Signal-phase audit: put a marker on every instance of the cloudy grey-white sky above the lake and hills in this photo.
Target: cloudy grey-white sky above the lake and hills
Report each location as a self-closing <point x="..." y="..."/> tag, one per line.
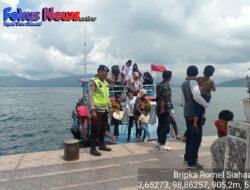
<point x="175" y="33"/>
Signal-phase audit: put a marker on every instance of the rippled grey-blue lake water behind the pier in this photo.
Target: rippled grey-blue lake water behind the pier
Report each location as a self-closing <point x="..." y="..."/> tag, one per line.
<point x="39" y="119"/>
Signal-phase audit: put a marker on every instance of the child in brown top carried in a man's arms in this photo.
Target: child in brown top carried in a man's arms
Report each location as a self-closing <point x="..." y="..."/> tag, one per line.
<point x="206" y="86"/>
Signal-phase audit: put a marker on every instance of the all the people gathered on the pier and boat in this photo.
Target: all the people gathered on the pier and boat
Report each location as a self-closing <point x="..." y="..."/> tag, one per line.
<point x="196" y="95"/>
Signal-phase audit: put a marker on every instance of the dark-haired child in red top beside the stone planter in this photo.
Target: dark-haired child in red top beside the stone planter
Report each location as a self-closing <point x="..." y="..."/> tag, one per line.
<point x="224" y="117"/>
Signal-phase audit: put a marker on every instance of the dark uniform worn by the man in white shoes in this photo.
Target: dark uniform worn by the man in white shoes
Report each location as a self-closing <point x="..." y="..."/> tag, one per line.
<point x="163" y="93"/>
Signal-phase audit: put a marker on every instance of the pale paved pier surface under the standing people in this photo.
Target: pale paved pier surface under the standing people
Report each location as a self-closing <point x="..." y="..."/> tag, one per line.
<point x="113" y="170"/>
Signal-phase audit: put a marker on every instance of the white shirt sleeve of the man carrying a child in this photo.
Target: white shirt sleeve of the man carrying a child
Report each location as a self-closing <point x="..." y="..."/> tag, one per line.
<point x="196" y="94"/>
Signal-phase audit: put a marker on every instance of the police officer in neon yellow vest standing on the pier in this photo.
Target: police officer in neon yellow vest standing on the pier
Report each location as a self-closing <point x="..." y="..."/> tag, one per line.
<point x="99" y="105"/>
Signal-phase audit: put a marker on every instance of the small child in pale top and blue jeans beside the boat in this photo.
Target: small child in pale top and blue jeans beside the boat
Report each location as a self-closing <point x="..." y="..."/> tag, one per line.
<point x="143" y="123"/>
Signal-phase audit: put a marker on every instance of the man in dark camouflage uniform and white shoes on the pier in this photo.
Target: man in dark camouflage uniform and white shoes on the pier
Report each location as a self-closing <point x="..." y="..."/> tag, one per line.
<point x="164" y="109"/>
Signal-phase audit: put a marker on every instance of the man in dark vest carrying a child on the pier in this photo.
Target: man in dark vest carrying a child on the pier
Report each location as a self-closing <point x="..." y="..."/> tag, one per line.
<point x="191" y="95"/>
